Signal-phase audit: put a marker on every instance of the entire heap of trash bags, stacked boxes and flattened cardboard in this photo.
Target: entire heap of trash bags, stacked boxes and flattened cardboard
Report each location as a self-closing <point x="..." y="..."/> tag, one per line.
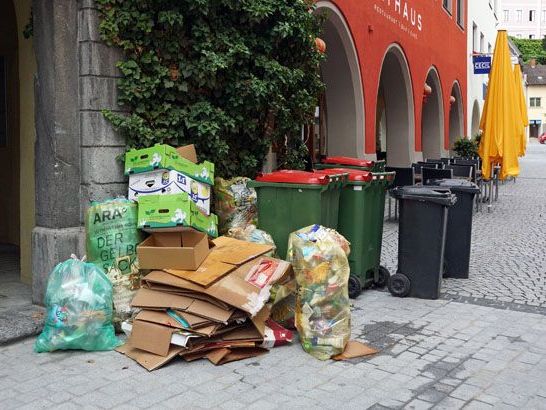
<point x="160" y="273"/>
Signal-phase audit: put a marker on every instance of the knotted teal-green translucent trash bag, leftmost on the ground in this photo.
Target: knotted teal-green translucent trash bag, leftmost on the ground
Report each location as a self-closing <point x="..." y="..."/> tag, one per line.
<point x="79" y="309"/>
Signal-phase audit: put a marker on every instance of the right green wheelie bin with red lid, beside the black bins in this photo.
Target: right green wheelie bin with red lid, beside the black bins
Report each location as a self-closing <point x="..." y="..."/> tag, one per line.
<point x="361" y="215"/>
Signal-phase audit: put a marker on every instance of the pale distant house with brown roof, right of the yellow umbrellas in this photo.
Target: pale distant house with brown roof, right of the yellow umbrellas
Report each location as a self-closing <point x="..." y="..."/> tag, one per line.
<point x="536" y="97"/>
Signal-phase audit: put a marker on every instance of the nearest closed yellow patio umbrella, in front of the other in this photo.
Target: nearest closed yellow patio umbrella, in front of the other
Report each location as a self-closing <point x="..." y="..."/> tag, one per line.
<point x="501" y="116"/>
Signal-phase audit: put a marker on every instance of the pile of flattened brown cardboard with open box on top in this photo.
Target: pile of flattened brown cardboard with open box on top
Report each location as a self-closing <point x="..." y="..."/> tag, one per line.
<point x="213" y="306"/>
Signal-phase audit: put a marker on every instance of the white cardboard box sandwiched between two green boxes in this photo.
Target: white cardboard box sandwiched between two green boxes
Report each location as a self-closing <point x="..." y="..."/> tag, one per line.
<point x="161" y="181"/>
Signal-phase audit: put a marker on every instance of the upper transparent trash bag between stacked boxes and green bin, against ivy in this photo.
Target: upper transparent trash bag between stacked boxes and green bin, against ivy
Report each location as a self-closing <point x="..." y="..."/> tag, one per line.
<point x="235" y="203"/>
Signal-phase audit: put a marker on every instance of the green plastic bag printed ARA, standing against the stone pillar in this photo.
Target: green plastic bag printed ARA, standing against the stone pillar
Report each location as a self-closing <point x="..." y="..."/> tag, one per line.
<point x="112" y="232"/>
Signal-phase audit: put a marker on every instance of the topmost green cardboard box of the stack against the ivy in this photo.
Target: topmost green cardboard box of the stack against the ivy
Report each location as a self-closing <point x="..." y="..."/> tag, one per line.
<point x="162" y="156"/>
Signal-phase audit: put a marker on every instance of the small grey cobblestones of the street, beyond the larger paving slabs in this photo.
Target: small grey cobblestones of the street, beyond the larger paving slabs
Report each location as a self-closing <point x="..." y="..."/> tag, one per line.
<point x="508" y="260"/>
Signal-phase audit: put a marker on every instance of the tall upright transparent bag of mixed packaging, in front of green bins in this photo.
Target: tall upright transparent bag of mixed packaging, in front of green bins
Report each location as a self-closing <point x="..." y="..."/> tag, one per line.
<point x="323" y="315"/>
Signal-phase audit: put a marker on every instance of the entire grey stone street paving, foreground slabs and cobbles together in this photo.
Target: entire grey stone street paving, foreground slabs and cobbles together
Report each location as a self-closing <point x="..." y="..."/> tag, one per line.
<point x="487" y="352"/>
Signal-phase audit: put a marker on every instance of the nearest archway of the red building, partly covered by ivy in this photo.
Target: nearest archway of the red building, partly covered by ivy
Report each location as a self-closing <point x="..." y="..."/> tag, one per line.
<point x="342" y="109"/>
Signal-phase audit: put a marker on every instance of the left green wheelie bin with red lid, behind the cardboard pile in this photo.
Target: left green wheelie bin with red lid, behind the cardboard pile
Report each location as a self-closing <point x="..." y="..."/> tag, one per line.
<point x="291" y="200"/>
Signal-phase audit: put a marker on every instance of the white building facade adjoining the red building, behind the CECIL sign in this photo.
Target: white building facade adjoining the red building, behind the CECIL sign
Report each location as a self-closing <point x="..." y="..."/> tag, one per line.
<point x="482" y="14"/>
